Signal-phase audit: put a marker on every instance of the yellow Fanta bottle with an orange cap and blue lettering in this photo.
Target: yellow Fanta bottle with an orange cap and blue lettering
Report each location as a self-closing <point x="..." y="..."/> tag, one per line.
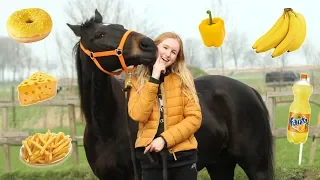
<point x="300" y="110"/>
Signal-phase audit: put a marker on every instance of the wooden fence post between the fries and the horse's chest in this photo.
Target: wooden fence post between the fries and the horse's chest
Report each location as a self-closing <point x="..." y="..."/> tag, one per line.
<point x="72" y="125"/>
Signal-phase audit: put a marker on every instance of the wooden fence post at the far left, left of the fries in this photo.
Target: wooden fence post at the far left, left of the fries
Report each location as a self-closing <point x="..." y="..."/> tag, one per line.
<point x="6" y="147"/>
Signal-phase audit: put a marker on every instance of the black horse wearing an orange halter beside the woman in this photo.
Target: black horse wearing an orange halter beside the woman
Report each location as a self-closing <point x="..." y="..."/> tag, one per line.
<point x="235" y="127"/>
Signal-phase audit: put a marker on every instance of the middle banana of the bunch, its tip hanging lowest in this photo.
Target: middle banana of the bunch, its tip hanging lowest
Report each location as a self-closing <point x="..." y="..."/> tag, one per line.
<point x="289" y="39"/>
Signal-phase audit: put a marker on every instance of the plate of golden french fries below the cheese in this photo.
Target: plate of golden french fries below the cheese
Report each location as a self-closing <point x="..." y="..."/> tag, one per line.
<point x="45" y="148"/>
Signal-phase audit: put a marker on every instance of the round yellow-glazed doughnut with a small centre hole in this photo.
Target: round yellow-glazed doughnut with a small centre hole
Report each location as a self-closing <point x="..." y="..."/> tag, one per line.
<point x="29" y="25"/>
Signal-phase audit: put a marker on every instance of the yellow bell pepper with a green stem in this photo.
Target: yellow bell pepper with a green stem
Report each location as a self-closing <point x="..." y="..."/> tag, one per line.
<point x="212" y="31"/>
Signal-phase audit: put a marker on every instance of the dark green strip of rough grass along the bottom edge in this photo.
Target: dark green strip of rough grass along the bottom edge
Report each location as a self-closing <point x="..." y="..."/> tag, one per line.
<point x="81" y="174"/>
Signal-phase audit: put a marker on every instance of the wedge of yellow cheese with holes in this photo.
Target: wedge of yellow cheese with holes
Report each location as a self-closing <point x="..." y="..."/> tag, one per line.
<point x="38" y="87"/>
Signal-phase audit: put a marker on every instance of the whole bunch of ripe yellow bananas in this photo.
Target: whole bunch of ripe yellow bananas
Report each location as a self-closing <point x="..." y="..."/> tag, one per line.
<point x="286" y="35"/>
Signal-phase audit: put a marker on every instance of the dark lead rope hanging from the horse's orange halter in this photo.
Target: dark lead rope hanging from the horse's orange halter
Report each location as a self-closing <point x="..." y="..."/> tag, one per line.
<point x="127" y="89"/>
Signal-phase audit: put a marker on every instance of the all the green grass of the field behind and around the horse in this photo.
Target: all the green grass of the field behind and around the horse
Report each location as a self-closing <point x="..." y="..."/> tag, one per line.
<point x="286" y="153"/>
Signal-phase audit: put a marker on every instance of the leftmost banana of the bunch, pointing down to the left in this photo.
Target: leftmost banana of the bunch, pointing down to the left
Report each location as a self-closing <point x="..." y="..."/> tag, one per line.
<point x="273" y="40"/>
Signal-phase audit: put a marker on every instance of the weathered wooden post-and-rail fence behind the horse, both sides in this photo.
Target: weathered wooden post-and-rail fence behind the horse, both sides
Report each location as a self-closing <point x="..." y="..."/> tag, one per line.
<point x="8" y="139"/>
